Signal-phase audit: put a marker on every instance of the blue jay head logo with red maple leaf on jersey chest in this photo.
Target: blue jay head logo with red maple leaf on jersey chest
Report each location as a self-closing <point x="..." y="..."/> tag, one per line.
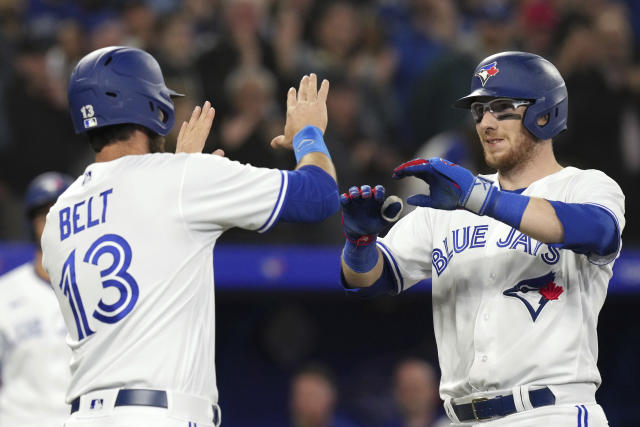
<point x="536" y="292"/>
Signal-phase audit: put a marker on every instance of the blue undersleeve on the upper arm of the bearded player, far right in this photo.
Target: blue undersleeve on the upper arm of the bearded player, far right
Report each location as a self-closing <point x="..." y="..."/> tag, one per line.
<point x="587" y="228"/>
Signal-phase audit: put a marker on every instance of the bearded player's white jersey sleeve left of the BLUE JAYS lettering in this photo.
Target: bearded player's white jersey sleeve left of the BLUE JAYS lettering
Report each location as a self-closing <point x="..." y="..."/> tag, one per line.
<point x="407" y="249"/>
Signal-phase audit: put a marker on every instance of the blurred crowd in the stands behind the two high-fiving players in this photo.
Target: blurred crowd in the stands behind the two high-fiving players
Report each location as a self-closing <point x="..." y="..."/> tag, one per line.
<point x="395" y="67"/>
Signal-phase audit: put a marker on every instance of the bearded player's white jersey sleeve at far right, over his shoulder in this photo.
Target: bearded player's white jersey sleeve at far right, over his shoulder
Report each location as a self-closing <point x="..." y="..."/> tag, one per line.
<point x="595" y="188"/>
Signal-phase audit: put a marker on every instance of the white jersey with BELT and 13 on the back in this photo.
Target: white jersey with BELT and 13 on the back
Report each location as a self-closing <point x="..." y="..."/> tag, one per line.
<point x="129" y="247"/>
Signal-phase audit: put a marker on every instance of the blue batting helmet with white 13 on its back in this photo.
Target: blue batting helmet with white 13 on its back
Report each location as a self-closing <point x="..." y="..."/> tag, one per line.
<point x="120" y="84"/>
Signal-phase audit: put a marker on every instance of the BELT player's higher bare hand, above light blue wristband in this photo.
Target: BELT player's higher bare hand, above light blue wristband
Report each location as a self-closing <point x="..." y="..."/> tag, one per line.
<point x="307" y="106"/>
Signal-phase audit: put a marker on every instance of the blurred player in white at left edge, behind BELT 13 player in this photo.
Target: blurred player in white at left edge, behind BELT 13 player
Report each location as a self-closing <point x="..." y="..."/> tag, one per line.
<point x="34" y="358"/>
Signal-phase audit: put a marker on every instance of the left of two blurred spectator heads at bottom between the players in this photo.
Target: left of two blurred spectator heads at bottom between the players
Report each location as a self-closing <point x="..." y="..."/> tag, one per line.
<point x="313" y="399"/>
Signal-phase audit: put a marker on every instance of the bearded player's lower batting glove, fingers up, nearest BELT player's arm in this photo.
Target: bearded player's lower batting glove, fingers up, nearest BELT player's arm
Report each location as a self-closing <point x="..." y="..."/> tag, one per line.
<point x="366" y="212"/>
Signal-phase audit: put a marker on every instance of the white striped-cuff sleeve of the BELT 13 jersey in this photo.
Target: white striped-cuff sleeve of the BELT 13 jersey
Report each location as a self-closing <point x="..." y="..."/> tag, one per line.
<point x="217" y="193"/>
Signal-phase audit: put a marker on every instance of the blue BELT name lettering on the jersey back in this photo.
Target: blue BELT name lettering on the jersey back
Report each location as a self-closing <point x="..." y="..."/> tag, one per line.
<point x="84" y="214"/>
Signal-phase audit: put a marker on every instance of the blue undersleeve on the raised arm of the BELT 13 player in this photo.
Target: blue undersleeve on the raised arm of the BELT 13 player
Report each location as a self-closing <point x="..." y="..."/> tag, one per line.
<point x="312" y="195"/>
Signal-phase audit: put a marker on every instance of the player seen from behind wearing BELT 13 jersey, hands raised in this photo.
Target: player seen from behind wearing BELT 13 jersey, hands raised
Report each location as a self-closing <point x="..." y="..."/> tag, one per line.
<point x="129" y="246"/>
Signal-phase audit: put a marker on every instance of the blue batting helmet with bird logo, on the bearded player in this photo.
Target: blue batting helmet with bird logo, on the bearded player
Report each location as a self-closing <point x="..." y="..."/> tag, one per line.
<point x="522" y="75"/>
